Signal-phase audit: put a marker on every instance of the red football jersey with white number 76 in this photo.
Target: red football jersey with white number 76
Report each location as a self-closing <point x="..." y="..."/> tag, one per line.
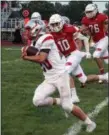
<point x="96" y="26"/>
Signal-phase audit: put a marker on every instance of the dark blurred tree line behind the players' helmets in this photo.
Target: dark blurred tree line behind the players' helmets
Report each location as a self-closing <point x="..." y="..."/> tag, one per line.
<point x="73" y="9"/>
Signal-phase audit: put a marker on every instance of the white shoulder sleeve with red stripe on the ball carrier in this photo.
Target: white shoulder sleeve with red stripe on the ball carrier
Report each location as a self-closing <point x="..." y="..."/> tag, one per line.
<point x="47" y="42"/>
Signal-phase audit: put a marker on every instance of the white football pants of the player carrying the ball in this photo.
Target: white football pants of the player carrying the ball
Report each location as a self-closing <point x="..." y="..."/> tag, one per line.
<point x="45" y="89"/>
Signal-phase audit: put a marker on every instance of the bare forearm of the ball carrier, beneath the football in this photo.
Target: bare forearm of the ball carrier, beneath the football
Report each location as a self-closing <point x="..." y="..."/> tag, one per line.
<point x="40" y="58"/>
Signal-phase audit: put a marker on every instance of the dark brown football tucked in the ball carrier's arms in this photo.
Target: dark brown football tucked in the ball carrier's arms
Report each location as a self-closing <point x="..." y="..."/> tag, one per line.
<point x="30" y="50"/>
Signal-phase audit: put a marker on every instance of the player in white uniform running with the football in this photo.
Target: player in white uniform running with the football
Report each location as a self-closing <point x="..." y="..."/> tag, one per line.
<point x="56" y="77"/>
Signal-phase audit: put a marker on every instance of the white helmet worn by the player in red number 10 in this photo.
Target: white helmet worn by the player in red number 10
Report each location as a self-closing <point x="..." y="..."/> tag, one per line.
<point x="56" y="23"/>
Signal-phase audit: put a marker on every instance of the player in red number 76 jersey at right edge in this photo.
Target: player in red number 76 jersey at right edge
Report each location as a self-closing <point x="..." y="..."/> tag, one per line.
<point x="95" y="24"/>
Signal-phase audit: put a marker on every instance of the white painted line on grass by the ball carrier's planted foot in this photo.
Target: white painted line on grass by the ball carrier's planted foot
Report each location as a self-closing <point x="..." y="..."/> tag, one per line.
<point x="76" y="128"/>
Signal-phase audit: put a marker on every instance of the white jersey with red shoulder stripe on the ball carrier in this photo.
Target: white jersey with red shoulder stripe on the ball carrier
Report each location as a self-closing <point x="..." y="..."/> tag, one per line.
<point x="53" y="66"/>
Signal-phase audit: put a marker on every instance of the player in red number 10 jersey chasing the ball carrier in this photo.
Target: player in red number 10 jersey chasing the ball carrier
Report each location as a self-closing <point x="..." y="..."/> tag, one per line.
<point x="64" y="37"/>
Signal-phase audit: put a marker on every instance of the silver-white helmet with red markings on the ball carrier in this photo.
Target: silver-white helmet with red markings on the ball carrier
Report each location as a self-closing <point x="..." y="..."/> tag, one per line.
<point x="34" y="29"/>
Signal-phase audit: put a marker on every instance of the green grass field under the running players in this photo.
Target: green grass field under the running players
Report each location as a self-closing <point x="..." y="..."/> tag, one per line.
<point x="20" y="117"/>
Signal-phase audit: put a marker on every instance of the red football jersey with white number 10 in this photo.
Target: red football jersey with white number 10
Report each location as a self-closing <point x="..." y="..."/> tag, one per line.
<point x="64" y="39"/>
